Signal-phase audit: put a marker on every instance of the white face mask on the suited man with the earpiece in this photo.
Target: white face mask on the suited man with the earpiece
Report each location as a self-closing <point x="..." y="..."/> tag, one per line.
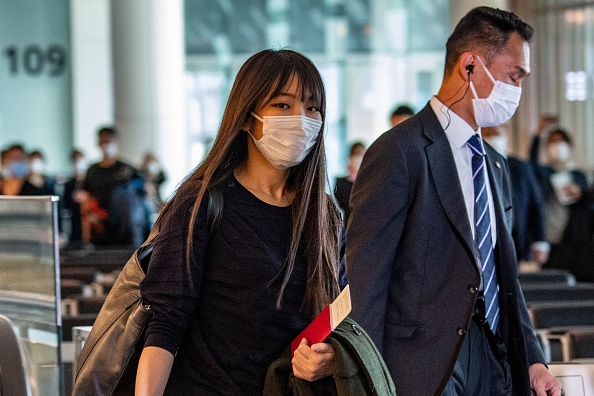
<point x="499" y="106"/>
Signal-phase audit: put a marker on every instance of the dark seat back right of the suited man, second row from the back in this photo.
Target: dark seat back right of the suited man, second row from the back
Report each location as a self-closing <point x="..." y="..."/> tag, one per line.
<point x="534" y="292"/>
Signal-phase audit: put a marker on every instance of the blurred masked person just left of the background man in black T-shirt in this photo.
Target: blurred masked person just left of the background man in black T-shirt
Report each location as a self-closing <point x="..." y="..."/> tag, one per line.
<point x="74" y="195"/>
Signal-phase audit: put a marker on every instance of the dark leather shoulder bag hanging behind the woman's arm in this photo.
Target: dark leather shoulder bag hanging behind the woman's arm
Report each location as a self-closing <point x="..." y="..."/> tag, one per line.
<point x="108" y="361"/>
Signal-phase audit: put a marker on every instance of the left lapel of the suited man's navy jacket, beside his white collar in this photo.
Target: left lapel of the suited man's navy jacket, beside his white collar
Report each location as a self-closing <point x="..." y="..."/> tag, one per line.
<point x="445" y="176"/>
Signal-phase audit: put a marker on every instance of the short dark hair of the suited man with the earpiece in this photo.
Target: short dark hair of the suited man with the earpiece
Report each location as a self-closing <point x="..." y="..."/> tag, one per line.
<point x="486" y="30"/>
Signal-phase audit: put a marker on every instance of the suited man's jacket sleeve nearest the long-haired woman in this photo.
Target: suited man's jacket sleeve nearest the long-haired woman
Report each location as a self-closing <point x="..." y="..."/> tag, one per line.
<point x="378" y="210"/>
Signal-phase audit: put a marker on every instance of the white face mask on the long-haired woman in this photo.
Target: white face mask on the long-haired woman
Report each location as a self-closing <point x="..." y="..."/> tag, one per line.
<point x="286" y="140"/>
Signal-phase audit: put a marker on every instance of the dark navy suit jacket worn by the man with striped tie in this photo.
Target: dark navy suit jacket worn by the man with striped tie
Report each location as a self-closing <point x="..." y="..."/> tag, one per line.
<point x="411" y="258"/>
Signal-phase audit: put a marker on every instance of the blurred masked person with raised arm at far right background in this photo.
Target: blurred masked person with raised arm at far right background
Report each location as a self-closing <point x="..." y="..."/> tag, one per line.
<point x="568" y="205"/>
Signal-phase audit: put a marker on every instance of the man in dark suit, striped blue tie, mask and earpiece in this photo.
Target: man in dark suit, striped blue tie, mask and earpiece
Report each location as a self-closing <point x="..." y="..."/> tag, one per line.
<point x="414" y="241"/>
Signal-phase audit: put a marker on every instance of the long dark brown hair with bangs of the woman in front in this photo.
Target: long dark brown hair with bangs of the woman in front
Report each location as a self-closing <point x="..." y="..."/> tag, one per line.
<point x="316" y="222"/>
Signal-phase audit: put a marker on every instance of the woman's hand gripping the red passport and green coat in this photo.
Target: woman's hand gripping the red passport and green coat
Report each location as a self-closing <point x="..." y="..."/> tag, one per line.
<point x="313" y="363"/>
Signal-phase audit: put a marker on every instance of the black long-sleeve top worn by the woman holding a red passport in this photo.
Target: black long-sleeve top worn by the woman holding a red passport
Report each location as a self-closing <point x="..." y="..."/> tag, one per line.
<point x="226" y="330"/>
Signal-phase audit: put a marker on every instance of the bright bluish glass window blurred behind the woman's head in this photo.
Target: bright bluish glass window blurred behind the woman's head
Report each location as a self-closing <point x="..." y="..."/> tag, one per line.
<point x="372" y="55"/>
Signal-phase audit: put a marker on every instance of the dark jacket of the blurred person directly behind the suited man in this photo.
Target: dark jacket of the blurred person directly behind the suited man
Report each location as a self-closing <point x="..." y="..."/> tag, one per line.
<point x="529" y="207"/>
